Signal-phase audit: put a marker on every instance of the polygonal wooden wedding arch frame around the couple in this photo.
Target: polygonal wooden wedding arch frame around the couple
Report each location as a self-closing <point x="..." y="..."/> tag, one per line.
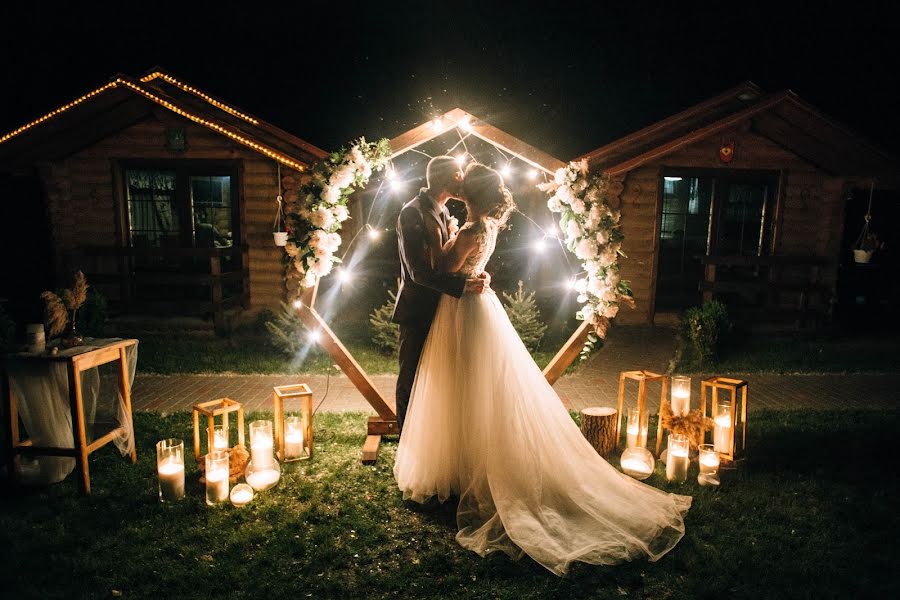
<point x="386" y="421"/>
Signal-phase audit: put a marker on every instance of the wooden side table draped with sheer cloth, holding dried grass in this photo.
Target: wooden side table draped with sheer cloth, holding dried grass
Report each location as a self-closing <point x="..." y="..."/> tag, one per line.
<point x="77" y="360"/>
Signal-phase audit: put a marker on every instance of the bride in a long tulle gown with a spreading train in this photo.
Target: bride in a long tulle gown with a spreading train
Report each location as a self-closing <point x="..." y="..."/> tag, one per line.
<point x="485" y="426"/>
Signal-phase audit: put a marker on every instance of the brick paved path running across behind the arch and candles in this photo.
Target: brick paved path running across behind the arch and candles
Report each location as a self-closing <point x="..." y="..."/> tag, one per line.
<point x="595" y="384"/>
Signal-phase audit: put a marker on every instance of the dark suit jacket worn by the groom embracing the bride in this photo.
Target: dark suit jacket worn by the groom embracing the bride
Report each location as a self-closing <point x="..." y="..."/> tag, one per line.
<point x="421" y="285"/>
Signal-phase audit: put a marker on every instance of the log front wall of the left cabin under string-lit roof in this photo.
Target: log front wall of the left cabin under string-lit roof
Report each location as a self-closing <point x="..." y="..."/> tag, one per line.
<point x="83" y="207"/>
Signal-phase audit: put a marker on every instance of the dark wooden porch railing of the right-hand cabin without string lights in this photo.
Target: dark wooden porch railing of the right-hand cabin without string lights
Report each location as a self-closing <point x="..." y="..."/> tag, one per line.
<point x="805" y="278"/>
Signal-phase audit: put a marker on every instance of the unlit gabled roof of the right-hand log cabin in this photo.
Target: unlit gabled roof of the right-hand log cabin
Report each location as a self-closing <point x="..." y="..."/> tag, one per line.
<point x="782" y="117"/>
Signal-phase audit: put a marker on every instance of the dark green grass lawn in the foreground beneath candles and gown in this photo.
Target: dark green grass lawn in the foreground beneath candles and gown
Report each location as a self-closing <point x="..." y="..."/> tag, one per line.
<point x="811" y="514"/>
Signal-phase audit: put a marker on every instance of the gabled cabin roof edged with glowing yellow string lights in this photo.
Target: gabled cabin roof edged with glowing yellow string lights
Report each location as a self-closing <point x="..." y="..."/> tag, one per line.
<point x="124" y="100"/>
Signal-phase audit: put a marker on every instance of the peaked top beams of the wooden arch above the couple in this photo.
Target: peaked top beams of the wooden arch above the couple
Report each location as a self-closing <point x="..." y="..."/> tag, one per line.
<point x="472" y="125"/>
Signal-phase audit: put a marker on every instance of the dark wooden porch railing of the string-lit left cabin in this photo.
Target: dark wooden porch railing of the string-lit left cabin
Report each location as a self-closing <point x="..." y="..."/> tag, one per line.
<point x="128" y="276"/>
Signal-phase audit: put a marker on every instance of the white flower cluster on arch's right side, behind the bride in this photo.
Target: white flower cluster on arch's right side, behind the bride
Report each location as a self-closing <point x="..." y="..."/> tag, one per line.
<point x="592" y="232"/>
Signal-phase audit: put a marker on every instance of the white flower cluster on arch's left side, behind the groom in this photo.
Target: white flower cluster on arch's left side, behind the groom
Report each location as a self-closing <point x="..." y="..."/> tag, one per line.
<point x="313" y="229"/>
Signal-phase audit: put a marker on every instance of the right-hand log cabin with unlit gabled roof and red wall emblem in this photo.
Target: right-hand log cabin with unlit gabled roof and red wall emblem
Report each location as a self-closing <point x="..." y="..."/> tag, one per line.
<point x="744" y="198"/>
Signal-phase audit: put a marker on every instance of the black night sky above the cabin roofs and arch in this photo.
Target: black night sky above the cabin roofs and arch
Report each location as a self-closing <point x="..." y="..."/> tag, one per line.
<point x="566" y="79"/>
